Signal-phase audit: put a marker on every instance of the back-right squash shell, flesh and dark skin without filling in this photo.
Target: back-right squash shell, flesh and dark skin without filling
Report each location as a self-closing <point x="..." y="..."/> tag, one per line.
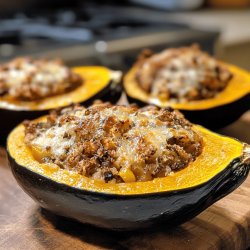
<point x="213" y="113"/>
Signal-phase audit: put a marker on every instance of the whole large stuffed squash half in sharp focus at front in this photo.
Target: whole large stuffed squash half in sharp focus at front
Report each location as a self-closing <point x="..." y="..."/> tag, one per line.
<point x="123" y="168"/>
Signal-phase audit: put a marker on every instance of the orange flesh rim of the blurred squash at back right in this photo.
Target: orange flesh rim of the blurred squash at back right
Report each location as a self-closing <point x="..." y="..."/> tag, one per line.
<point x="237" y="88"/>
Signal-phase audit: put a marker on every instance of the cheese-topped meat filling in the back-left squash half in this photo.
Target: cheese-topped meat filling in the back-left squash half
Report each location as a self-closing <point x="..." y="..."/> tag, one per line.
<point x="29" y="79"/>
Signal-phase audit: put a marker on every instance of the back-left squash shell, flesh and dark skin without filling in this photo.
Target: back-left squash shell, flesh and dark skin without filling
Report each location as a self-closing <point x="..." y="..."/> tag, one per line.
<point x="99" y="83"/>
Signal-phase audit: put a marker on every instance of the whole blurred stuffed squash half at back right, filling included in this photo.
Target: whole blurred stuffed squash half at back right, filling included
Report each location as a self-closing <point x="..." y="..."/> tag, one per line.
<point x="208" y="92"/>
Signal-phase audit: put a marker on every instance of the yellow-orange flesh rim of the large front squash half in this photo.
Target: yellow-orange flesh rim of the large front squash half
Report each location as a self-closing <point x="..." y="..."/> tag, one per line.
<point x="217" y="153"/>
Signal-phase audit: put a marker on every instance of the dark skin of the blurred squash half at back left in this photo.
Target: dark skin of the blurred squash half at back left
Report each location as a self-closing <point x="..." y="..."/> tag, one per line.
<point x="11" y="118"/>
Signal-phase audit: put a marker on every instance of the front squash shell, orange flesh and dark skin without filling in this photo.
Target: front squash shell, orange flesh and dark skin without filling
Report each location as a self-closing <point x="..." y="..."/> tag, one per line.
<point x="223" y="165"/>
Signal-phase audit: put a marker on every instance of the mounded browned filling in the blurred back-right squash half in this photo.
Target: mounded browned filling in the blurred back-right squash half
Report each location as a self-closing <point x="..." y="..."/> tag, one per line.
<point x="181" y="75"/>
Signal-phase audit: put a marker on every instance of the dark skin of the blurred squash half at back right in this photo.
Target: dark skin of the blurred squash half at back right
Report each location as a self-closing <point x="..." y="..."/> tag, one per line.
<point x="213" y="118"/>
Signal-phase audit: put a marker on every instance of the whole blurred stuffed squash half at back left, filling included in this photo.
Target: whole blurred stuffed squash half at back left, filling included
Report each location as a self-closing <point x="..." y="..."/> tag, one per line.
<point x="31" y="87"/>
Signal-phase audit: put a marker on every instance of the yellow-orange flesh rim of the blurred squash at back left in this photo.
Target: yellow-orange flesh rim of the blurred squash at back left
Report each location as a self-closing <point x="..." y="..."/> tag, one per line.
<point x="94" y="80"/>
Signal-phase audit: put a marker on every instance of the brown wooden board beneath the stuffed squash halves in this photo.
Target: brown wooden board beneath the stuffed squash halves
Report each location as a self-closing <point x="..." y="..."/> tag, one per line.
<point x="225" y="225"/>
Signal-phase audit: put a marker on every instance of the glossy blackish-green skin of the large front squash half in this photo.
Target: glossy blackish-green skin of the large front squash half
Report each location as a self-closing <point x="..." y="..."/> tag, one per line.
<point x="128" y="212"/>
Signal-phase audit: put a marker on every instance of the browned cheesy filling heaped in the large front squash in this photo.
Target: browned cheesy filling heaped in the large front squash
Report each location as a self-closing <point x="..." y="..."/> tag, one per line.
<point x="115" y="143"/>
